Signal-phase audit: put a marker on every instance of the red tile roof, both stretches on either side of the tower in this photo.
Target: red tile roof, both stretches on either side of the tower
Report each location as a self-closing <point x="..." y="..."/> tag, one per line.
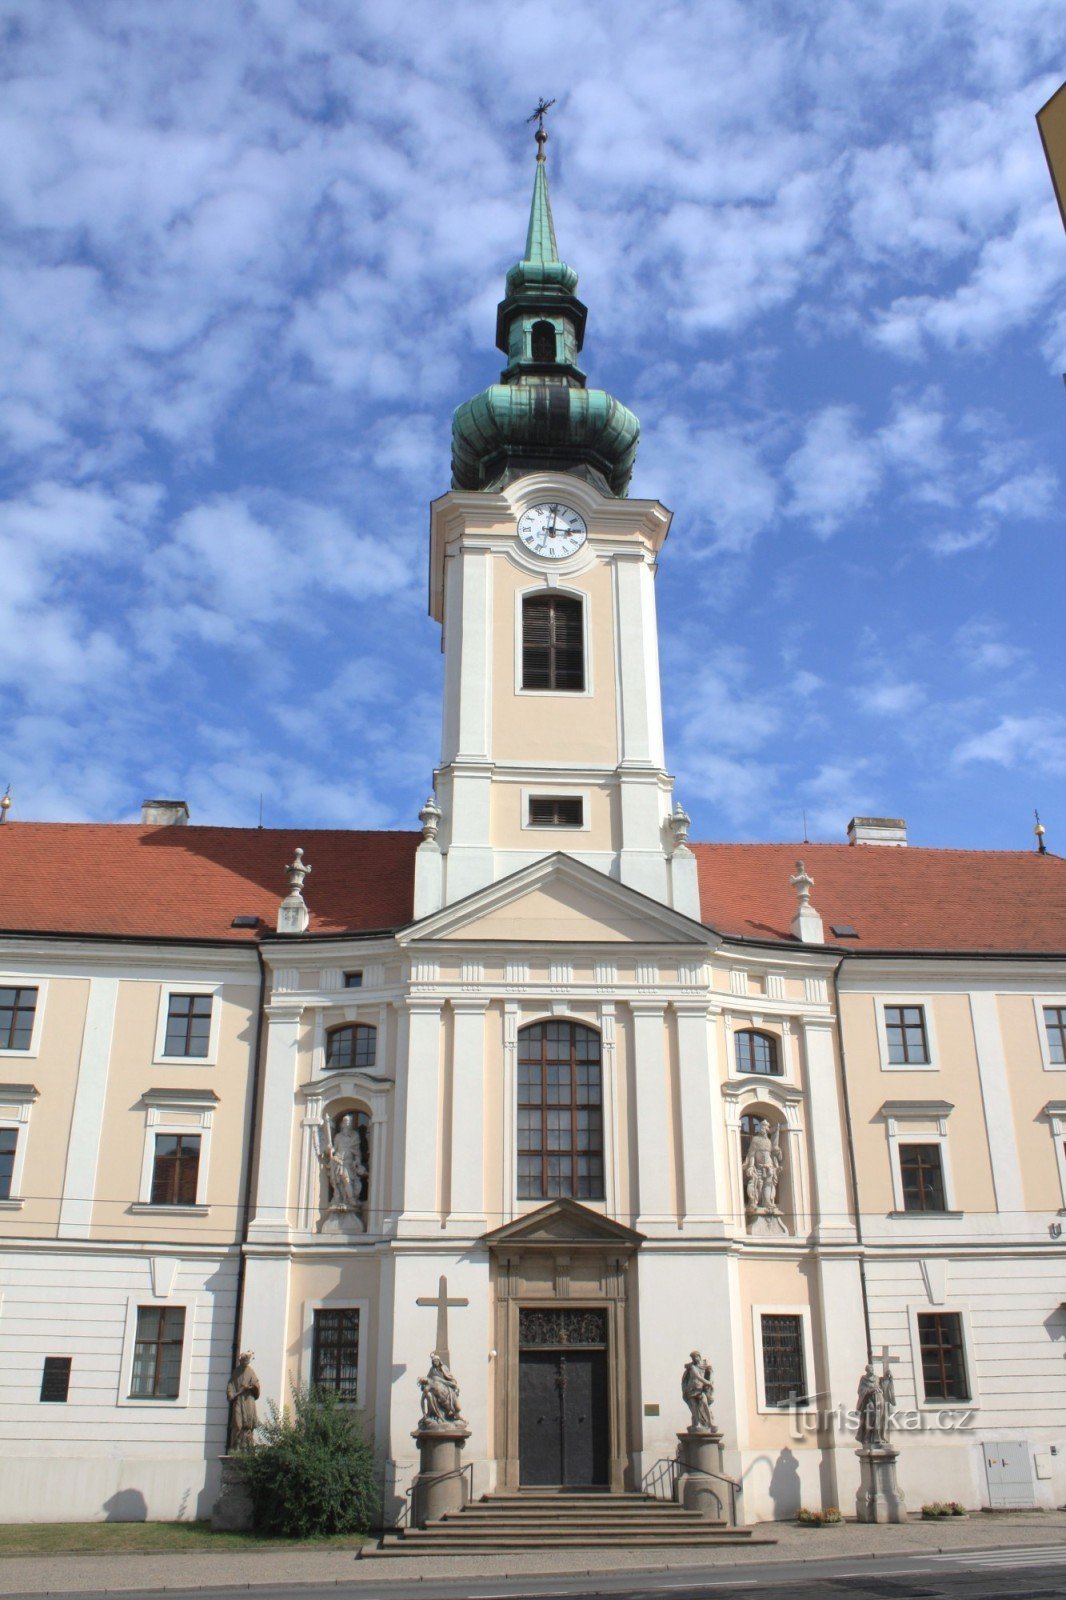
<point x="191" y="882"/>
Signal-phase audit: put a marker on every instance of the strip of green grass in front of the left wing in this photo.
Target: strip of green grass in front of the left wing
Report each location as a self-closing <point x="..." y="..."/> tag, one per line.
<point x="146" y="1538"/>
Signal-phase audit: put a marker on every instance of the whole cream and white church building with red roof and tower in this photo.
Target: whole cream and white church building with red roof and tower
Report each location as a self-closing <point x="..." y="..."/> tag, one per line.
<point x="545" y="1087"/>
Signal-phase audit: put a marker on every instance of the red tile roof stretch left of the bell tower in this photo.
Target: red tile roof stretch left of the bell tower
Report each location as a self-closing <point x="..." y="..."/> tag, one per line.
<point x="191" y="882"/>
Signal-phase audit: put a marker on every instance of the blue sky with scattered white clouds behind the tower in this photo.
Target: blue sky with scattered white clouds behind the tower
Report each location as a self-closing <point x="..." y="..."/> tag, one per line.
<point x="250" y="257"/>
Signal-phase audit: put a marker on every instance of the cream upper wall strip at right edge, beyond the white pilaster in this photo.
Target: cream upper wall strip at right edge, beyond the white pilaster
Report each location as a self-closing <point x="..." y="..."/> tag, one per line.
<point x="1032" y="1087"/>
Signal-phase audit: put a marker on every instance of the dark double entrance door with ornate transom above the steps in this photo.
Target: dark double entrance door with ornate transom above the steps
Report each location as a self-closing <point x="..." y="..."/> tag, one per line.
<point x="563" y="1399"/>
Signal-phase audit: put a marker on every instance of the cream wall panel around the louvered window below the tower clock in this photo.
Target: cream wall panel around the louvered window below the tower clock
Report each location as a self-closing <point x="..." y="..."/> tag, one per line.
<point x="574" y="729"/>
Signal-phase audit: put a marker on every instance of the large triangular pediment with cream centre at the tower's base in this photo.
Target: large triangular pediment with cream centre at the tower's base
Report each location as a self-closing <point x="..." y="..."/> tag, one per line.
<point x="559" y="902"/>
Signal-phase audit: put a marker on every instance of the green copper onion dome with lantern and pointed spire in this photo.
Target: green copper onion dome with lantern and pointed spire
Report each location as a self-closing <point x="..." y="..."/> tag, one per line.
<point x="540" y="417"/>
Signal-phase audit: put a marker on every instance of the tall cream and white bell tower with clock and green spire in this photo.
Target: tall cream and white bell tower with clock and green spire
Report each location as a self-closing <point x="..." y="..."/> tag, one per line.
<point x="543" y="582"/>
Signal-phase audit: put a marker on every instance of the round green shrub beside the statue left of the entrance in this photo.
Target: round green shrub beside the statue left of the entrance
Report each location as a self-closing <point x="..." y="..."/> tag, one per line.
<point x="313" y="1474"/>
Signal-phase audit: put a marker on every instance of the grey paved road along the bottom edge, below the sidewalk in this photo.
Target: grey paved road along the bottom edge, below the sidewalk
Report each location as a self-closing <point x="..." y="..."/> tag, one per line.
<point x="1004" y="1574"/>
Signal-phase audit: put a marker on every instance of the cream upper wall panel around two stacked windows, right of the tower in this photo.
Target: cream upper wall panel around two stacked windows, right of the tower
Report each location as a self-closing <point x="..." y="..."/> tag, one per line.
<point x="955" y="1081"/>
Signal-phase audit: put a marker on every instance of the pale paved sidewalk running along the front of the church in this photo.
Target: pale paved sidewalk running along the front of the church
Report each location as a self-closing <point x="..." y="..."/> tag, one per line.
<point x="238" y="1569"/>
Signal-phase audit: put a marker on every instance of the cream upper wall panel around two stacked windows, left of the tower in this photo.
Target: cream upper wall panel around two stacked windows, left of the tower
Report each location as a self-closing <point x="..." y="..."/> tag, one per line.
<point x="132" y="1073"/>
